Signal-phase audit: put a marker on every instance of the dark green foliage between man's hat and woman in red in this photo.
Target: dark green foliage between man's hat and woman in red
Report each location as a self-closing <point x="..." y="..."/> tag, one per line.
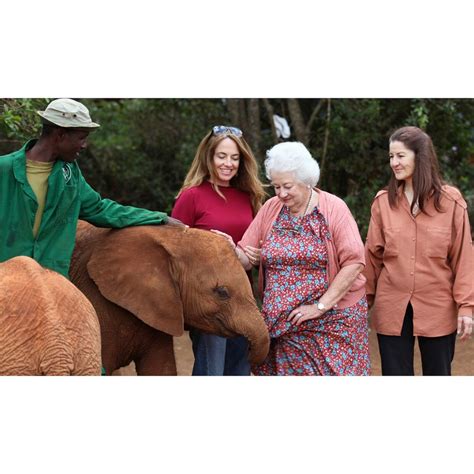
<point x="145" y="146"/>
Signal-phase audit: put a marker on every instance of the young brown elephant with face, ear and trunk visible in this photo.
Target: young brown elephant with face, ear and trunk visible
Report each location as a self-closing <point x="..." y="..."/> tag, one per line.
<point x="146" y="282"/>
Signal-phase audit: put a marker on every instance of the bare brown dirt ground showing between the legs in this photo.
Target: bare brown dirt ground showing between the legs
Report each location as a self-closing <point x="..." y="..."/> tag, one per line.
<point x="463" y="363"/>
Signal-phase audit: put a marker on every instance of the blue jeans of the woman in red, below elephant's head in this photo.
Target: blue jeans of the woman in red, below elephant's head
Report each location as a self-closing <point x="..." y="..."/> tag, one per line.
<point x="215" y="355"/>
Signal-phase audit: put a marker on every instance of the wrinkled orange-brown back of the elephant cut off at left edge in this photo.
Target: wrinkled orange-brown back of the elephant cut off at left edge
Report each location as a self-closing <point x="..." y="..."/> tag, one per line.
<point x="47" y="326"/>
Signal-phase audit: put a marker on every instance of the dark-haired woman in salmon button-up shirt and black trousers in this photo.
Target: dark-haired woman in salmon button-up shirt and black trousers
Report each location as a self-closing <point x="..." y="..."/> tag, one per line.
<point x="418" y="261"/>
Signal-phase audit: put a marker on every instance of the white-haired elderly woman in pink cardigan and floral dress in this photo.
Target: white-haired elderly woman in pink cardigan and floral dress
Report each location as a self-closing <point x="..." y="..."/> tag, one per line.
<point x="310" y="265"/>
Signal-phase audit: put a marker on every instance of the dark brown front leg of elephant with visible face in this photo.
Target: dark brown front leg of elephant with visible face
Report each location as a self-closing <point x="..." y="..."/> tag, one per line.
<point x="158" y="358"/>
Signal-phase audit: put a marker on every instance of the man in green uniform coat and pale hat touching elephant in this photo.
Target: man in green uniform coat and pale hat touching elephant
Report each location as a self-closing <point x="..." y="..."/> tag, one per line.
<point x="43" y="192"/>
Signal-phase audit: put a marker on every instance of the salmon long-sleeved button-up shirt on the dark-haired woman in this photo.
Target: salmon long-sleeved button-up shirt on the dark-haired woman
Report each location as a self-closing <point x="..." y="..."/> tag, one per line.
<point x="424" y="259"/>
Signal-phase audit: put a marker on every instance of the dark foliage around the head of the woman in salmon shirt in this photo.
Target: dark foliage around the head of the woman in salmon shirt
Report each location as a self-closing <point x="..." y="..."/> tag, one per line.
<point x="357" y="160"/>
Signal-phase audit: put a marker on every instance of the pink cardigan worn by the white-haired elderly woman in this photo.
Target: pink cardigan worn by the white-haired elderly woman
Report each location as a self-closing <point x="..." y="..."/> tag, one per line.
<point x="344" y="248"/>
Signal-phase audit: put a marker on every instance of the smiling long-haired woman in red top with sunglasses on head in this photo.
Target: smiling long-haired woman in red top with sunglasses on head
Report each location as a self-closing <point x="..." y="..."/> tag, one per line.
<point x="221" y="191"/>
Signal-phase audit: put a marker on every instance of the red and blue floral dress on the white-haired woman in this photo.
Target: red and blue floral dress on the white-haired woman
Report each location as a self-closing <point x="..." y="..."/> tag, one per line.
<point x="295" y="258"/>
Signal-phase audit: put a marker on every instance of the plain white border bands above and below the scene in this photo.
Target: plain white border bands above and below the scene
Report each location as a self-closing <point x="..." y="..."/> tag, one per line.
<point x="236" y="49"/>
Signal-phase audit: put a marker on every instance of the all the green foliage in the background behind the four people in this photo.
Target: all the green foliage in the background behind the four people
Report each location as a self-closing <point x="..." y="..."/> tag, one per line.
<point x="142" y="151"/>
